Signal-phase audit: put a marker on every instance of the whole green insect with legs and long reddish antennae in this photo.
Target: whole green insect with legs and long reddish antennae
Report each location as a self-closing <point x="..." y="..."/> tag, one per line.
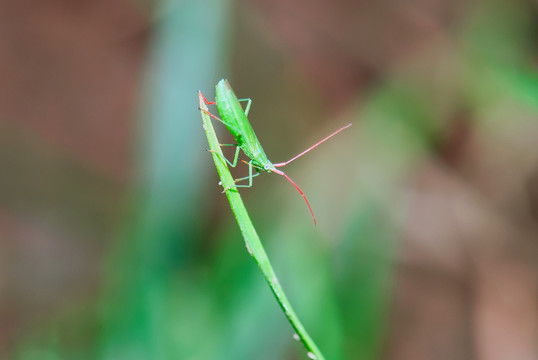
<point x="235" y="119"/>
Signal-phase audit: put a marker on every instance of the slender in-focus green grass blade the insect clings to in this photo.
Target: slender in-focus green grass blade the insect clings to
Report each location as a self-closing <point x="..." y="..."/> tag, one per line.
<point x="252" y="241"/>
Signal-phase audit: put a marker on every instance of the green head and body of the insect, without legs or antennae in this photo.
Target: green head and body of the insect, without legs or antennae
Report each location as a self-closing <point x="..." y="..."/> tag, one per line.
<point x="233" y="116"/>
